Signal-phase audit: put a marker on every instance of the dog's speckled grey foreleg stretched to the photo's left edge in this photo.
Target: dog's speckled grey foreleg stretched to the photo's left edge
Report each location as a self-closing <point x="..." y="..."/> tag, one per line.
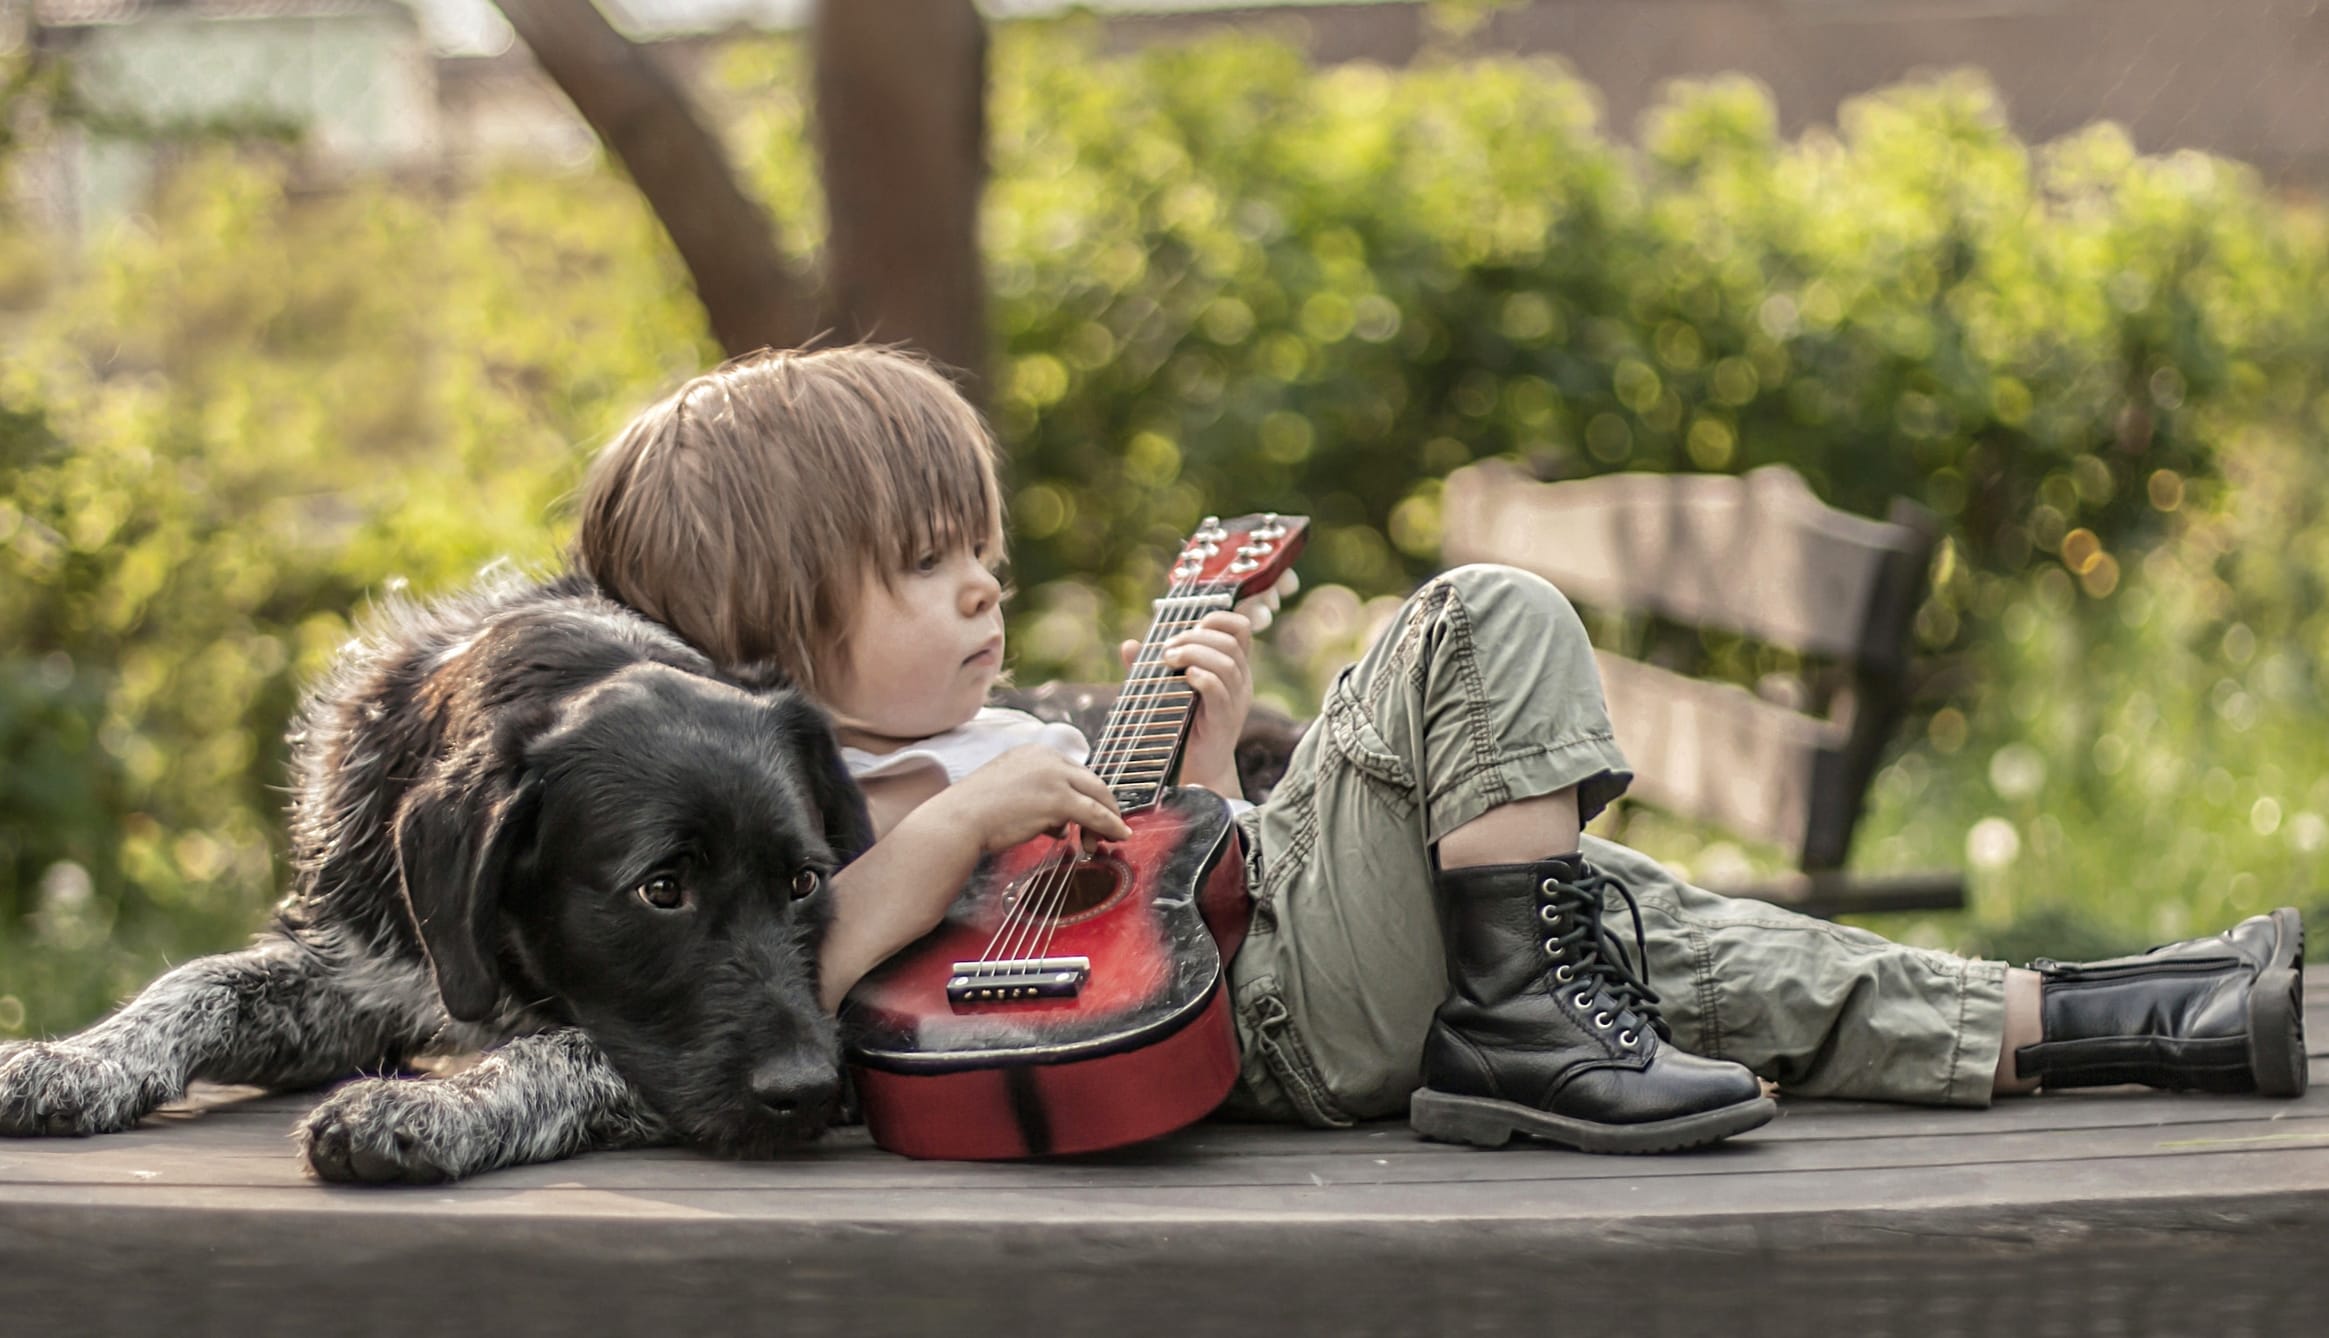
<point x="269" y="1015"/>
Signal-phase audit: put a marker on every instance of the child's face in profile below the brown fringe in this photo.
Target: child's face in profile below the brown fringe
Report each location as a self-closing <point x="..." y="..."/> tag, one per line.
<point x="921" y="654"/>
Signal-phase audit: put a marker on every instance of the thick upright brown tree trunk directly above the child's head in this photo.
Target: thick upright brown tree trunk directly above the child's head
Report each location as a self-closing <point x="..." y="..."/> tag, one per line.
<point x="902" y="134"/>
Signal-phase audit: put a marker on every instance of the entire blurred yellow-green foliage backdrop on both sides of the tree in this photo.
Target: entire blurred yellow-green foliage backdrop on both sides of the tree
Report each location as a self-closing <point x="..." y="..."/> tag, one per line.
<point x="1224" y="281"/>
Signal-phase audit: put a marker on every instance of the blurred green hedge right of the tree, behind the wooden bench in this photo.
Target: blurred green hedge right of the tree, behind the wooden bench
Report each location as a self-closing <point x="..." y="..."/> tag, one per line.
<point x="1226" y="281"/>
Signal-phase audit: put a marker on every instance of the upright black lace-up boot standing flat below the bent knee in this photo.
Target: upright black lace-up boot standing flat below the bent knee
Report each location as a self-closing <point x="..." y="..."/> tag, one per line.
<point x="1550" y="1031"/>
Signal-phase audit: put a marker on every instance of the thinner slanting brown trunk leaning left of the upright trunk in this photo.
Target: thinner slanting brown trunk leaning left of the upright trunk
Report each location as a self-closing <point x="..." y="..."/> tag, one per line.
<point x="642" y="115"/>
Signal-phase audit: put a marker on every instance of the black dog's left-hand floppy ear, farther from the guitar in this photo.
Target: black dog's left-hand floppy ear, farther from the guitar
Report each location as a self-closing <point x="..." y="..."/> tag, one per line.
<point x="458" y="838"/>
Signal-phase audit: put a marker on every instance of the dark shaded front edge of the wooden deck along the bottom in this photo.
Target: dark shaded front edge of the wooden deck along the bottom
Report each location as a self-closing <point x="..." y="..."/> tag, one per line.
<point x="1911" y="1269"/>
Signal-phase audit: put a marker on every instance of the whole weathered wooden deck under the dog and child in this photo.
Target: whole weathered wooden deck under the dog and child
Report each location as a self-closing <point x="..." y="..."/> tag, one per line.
<point x="2086" y="1213"/>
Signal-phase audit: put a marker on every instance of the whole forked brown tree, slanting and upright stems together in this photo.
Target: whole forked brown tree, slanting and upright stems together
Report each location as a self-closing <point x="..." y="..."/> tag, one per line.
<point x="902" y="111"/>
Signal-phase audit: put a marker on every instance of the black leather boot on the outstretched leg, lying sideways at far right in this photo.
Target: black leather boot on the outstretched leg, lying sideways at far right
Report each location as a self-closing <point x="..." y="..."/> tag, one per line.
<point x="2202" y="1015"/>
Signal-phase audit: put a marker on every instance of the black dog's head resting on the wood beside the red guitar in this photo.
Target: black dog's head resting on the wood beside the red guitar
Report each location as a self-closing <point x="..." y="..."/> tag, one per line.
<point x="651" y="861"/>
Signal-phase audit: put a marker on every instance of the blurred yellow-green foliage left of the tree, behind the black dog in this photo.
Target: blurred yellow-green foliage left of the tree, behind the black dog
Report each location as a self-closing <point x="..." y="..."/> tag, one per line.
<point x="220" y="437"/>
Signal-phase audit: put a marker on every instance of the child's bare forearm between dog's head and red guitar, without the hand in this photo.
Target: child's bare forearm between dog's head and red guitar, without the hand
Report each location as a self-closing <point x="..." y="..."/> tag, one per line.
<point x="891" y="896"/>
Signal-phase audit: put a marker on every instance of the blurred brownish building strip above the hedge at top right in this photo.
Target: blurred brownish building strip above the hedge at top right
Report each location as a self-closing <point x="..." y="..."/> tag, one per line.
<point x="2237" y="78"/>
